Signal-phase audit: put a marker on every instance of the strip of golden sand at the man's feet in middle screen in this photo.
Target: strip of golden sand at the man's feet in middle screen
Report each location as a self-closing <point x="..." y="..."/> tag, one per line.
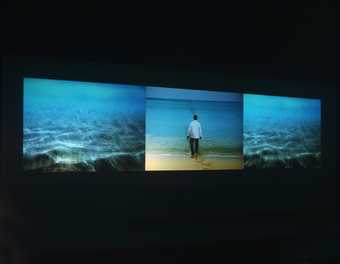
<point x="158" y="162"/>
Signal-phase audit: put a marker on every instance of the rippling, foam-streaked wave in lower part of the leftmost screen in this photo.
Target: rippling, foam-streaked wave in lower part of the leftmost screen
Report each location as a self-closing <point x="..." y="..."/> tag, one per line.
<point x="79" y="142"/>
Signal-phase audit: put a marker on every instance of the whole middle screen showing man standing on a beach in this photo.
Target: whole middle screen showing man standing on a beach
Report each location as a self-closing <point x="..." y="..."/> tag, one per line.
<point x="193" y="129"/>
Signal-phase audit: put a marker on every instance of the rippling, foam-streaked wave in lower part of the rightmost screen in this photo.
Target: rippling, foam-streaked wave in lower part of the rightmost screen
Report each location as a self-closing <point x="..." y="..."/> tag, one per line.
<point x="290" y="147"/>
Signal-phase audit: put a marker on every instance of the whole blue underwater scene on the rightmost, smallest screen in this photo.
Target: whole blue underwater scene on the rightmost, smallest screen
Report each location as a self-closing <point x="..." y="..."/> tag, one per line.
<point x="282" y="132"/>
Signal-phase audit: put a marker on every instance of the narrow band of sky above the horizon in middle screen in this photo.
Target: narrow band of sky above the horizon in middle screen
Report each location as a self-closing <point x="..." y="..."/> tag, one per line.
<point x="188" y="94"/>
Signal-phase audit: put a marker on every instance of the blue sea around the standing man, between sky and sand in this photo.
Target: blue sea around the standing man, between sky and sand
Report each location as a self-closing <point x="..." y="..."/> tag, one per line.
<point x="167" y="122"/>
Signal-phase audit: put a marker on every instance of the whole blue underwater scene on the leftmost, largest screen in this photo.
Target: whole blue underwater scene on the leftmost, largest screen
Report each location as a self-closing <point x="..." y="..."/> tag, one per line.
<point x="71" y="125"/>
